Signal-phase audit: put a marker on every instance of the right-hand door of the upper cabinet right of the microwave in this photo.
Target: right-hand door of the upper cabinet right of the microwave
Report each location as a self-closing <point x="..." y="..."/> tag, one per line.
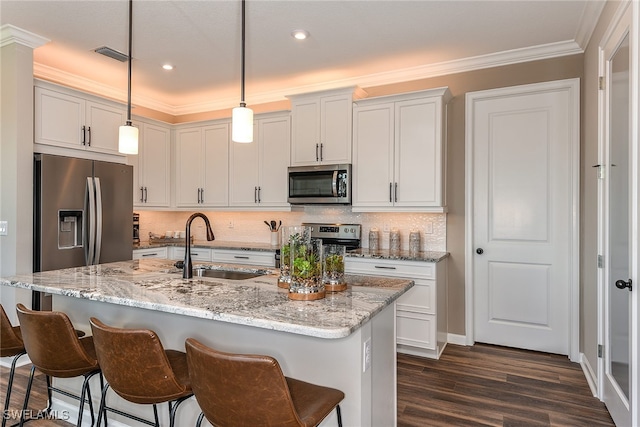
<point x="418" y="153"/>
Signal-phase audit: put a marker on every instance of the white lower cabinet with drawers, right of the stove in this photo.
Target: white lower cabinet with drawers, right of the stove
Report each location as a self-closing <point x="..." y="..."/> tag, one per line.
<point x="421" y="313"/>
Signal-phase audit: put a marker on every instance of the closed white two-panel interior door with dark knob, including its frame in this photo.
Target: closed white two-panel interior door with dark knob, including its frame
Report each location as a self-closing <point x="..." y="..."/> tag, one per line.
<point x="522" y="144"/>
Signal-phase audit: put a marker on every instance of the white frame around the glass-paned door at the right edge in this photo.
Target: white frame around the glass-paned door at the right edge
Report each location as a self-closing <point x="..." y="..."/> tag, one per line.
<point x="634" y="75"/>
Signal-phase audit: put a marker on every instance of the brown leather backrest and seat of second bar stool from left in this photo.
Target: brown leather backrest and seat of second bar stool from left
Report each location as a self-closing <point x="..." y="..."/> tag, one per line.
<point x="53" y="345"/>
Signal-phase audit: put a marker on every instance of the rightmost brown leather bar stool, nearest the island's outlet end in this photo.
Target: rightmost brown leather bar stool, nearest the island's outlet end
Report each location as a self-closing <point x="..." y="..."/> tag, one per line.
<point x="235" y="390"/>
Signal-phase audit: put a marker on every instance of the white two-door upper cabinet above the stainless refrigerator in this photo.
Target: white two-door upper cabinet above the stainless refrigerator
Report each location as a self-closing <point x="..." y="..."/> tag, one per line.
<point x="69" y="119"/>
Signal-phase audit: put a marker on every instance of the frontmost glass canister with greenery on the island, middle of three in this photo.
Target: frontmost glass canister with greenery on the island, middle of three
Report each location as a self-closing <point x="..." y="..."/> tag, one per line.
<point x="306" y="270"/>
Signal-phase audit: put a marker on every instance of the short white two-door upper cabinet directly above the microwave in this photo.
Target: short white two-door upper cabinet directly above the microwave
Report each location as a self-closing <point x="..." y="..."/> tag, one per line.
<point x="322" y="126"/>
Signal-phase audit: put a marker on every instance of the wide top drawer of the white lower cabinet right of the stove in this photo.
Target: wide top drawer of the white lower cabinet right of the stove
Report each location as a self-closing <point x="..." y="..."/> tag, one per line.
<point x="392" y="268"/>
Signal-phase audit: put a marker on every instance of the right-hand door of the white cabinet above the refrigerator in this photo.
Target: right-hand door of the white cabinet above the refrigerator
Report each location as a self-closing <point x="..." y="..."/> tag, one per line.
<point x="102" y="127"/>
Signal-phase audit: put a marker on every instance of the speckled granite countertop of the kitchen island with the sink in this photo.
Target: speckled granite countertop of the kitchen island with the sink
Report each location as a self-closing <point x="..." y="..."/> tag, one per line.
<point x="155" y="284"/>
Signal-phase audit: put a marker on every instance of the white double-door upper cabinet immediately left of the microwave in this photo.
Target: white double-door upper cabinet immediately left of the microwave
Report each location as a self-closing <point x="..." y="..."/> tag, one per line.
<point x="258" y="171"/>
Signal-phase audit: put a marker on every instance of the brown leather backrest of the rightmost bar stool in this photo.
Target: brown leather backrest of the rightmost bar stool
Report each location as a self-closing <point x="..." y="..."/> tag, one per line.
<point x="239" y="389"/>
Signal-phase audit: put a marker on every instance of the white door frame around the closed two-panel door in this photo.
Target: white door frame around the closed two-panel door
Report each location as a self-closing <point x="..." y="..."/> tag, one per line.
<point x="573" y="86"/>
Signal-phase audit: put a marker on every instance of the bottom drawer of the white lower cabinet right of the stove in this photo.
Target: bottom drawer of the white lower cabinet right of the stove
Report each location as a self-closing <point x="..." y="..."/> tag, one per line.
<point x="416" y="329"/>
